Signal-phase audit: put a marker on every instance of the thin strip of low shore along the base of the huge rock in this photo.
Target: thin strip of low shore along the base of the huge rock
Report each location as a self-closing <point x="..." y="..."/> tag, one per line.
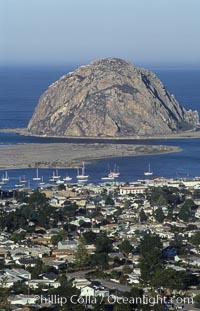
<point x="181" y="135"/>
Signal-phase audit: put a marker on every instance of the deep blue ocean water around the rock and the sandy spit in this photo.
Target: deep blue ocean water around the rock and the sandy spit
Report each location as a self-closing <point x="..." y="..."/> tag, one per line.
<point x="20" y="89"/>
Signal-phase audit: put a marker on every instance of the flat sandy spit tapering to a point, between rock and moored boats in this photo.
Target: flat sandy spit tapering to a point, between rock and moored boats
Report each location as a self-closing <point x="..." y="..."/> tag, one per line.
<point x="70" y="154"/>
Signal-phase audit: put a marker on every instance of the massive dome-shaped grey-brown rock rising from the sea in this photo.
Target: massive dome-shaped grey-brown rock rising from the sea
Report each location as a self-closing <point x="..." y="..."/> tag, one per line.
<point x="109" y="97"/>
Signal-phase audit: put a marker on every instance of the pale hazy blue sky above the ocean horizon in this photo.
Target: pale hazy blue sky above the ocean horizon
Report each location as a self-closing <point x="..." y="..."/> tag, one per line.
<point x="78" y="31"/>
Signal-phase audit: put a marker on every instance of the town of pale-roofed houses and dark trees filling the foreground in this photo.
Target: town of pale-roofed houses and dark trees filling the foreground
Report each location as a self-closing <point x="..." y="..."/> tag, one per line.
<point x="109" y="246"/>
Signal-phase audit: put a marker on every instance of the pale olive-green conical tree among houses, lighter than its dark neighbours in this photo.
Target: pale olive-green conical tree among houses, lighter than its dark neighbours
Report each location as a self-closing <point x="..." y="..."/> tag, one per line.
<point x="81" y="255"/>
